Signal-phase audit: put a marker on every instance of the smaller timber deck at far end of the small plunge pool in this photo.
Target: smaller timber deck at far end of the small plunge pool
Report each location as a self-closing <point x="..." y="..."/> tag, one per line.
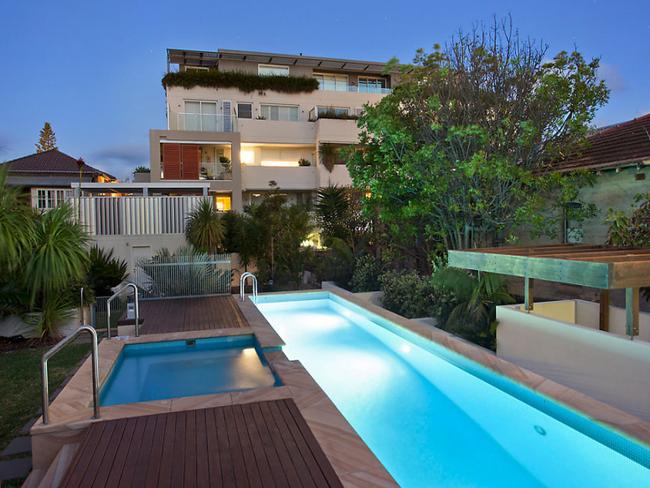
<point x="188" y="314"/>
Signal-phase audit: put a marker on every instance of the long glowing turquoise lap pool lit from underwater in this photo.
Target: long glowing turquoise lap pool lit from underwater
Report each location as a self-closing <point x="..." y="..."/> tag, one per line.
<point x="434" y="418"/>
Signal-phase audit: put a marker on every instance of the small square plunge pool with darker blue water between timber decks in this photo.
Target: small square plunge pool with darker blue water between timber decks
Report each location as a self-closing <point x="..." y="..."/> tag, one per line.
<point x="161" y="370"/>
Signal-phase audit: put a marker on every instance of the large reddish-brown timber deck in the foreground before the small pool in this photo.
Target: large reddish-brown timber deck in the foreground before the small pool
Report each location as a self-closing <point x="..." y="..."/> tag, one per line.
<point x="255" y="444"/>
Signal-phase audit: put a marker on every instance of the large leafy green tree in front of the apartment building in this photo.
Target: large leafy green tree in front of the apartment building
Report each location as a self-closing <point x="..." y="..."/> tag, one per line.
<point x="458" y="155"/>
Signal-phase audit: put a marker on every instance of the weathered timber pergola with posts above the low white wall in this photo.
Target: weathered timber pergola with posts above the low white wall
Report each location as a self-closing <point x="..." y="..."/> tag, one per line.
<point x="602" y="267"/>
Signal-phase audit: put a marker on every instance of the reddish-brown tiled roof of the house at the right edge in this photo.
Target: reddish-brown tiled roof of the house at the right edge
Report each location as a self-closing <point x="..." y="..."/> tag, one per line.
<point x="617" y="145"/>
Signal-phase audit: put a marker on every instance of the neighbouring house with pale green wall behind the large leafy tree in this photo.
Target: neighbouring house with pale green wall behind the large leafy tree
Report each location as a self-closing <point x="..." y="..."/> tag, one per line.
<point x="619" y="155"/>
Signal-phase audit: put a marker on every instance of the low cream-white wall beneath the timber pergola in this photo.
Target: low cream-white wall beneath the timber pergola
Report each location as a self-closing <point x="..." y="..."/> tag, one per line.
<point x="605" y="366"/>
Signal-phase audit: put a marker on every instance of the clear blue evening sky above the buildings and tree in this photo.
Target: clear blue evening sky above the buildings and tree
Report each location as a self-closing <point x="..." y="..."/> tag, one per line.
<point x="93" y="68"/>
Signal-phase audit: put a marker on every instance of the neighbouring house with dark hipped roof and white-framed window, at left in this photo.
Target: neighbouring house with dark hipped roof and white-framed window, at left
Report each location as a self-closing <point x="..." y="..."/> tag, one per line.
<point x="48" y="176"/>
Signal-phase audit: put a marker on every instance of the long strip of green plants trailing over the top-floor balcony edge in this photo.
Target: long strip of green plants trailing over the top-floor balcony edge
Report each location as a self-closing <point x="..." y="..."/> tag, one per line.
<point x="242" y="81"/>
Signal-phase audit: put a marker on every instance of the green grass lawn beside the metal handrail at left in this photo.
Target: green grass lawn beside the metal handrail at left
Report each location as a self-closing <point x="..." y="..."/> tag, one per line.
<point x="20" y="384"/>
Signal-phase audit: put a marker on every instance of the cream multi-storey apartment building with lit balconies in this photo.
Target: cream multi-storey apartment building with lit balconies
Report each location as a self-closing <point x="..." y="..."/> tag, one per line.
<point x="246" y="142"/>
